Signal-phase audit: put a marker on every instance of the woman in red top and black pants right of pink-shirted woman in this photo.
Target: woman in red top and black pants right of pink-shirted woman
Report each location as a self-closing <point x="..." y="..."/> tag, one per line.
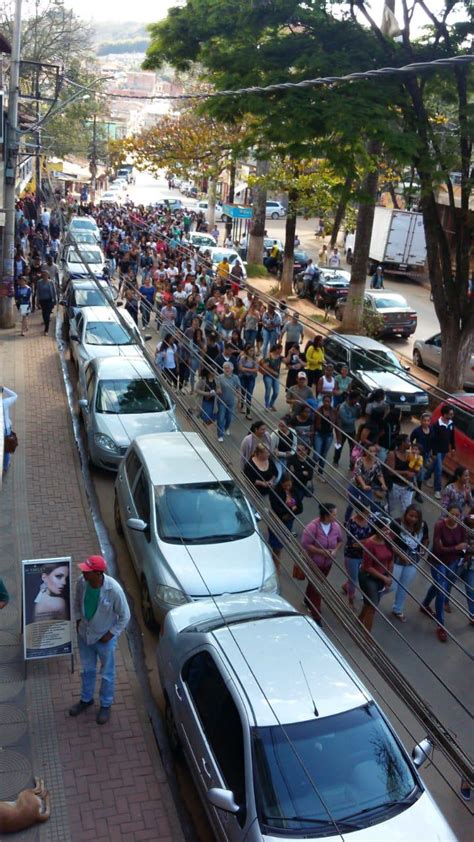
<point x="375" y="574"/>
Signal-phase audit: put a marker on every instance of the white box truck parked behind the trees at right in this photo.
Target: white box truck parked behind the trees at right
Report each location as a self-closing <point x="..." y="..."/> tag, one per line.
<point x="398" y="240"/>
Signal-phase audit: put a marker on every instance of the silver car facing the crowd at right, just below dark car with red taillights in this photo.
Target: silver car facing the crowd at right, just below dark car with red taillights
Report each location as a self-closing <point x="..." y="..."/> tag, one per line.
<point x="373" y="366"/>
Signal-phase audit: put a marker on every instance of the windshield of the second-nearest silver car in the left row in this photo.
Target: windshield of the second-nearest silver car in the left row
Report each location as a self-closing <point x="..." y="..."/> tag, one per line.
<point x="202" y="513"/>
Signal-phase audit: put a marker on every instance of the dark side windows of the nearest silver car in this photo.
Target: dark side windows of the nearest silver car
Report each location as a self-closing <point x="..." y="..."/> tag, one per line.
<point x="220" y="721"/>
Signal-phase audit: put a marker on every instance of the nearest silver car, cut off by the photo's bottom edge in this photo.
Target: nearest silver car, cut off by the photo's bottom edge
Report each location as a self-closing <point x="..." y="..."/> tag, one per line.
<point x="282" y="739"/>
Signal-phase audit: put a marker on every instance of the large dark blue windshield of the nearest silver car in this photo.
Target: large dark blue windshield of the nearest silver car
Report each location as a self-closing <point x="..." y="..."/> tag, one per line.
<point x="346" y="766"/>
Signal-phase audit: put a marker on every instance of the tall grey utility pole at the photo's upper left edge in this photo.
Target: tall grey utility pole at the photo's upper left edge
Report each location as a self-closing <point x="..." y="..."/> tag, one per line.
<point x="7" y="313"/>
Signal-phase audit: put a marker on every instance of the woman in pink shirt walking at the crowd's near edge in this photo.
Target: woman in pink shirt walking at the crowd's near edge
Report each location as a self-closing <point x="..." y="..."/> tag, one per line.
<point x="321" y="540"/>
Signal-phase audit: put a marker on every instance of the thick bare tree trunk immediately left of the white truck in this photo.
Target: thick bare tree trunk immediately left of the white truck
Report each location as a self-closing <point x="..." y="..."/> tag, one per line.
<point x="354" y="309"/>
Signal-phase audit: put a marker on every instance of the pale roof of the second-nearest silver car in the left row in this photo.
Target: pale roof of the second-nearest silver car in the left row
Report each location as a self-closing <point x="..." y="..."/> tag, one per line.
<point x="179" y="459"/>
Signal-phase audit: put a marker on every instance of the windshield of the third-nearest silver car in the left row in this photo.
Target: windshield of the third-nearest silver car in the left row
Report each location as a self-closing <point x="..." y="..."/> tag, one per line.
<point x="126" y="397"/>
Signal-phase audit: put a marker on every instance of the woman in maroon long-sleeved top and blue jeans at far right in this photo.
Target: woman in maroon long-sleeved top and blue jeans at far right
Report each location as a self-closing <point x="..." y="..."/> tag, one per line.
<point x="449" y="548"/>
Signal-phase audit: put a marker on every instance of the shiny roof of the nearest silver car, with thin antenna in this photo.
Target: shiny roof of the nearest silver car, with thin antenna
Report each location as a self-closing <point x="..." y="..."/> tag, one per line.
<point x="282" y="688"/>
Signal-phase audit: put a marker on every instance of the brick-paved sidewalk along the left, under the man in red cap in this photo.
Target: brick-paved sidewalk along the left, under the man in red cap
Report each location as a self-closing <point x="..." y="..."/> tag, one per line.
<point x="107" y="783"/>
